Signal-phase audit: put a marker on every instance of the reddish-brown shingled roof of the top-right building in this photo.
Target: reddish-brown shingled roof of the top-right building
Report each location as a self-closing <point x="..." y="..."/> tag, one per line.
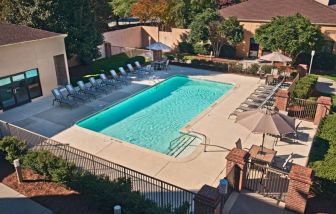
<point x="264" y="10"/>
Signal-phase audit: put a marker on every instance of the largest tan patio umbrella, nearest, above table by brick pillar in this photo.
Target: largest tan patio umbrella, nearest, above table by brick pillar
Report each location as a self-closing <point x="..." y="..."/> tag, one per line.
<point x="266" y="121"/>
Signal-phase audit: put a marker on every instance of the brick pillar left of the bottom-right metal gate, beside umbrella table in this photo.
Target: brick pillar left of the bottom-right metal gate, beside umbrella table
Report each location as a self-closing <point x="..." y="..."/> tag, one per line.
<point x="238" y="157"/>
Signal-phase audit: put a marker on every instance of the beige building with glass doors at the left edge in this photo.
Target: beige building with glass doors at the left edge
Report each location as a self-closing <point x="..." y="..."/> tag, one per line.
<point x="32" y="62"/>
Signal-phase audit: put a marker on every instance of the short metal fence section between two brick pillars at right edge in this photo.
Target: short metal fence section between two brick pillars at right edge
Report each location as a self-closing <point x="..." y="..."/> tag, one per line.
<point x="301" y="108"/>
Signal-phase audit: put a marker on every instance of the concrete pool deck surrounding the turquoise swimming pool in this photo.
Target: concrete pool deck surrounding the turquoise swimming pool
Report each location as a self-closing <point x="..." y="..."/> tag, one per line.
<point x="189" y="172"/>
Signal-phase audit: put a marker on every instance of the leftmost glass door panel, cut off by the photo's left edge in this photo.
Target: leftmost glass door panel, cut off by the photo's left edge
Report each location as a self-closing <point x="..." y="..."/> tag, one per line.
<point x="6" y="93"/>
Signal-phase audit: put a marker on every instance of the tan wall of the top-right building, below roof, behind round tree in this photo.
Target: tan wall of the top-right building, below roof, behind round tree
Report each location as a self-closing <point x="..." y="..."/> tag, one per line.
<point x="249" y="32"/>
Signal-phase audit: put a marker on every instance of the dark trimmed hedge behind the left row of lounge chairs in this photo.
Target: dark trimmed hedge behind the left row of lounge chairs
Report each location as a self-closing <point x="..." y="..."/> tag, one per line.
<point x="83" y="72"/>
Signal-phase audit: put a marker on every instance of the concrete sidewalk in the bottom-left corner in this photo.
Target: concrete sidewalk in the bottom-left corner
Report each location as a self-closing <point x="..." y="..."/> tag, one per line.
<point x="12" y="202"/>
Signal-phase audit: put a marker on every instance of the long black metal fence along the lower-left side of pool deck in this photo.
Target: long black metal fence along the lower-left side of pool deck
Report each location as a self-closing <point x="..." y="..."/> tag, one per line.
<point x="162" y="193"/>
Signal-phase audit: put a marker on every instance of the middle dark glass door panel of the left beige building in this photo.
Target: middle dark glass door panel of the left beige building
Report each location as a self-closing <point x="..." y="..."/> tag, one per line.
<point x="20" y="89"/>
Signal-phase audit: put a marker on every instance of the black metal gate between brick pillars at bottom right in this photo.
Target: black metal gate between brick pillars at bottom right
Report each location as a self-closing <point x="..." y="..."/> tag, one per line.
<point x="267" y="181"/>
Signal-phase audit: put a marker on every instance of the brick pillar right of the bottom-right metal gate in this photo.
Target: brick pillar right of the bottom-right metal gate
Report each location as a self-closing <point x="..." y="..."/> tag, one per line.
<point x="300" y="181"/>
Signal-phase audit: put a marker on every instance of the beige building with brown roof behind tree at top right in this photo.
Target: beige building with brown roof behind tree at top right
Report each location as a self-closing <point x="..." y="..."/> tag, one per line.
<point x="253" y="13"/>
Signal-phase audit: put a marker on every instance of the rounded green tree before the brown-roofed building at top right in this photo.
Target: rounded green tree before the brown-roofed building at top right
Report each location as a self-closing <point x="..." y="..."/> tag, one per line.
<point x="292" y="35"/>
